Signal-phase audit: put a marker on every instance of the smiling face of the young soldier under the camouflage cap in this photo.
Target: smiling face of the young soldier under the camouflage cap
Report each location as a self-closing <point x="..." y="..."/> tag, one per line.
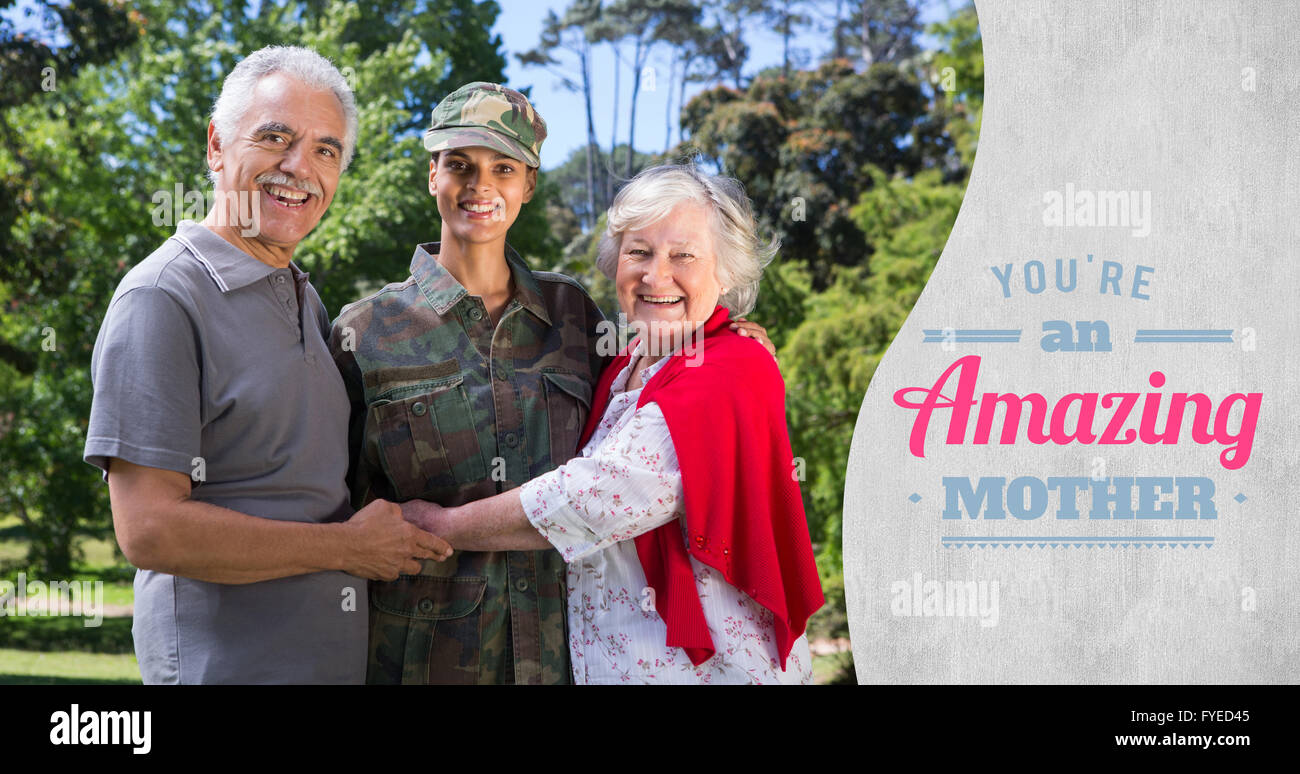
<point x="480" y="192"/>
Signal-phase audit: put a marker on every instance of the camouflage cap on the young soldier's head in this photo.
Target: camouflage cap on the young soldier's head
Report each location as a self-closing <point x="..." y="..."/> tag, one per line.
<point x="489" y="115"/>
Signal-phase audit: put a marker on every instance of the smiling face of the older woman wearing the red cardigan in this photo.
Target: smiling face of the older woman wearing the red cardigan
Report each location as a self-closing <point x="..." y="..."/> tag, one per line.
<point x="666" y="276"/>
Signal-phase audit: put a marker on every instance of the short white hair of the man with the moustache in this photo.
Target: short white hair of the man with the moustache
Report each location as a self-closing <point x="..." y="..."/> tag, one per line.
<point x="305" y="64"/>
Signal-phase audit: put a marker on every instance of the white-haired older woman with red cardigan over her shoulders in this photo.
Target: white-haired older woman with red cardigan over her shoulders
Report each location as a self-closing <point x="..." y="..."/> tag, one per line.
<point x="682" y="526"/>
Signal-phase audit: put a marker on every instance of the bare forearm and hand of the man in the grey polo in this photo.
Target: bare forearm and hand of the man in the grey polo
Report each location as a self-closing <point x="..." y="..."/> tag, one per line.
<point x="161" y="529"/>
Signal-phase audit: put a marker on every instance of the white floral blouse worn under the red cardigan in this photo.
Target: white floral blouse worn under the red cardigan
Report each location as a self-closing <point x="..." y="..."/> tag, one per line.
<point x="626" y="483"/>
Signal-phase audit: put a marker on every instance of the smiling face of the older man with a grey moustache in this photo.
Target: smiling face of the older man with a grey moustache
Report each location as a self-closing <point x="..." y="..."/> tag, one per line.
<point x="288" y="155"/>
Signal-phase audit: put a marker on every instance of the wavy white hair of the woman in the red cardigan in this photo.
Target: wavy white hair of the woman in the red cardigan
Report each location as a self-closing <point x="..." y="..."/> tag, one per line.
<point x="740" y="253"/>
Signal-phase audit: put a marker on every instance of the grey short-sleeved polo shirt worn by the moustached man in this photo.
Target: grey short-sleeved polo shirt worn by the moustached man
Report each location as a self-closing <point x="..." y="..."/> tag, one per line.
<point x="215" y="365"/>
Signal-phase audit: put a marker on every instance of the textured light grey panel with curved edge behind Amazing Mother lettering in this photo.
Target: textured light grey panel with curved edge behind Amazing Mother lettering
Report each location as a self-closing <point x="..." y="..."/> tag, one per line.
<point x="1151" y="96"/>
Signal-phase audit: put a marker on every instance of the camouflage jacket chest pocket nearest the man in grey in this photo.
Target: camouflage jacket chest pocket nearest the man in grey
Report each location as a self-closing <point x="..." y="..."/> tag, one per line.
<point x="427" y="439"/>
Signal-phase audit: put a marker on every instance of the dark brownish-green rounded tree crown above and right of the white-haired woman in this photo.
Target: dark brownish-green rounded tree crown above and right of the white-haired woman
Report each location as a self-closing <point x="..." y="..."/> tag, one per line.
<point x="801" y="145"/>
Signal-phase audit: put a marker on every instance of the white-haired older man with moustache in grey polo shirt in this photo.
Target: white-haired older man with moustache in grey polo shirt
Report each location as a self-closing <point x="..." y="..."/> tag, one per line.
<point x="220" y="421"/>
